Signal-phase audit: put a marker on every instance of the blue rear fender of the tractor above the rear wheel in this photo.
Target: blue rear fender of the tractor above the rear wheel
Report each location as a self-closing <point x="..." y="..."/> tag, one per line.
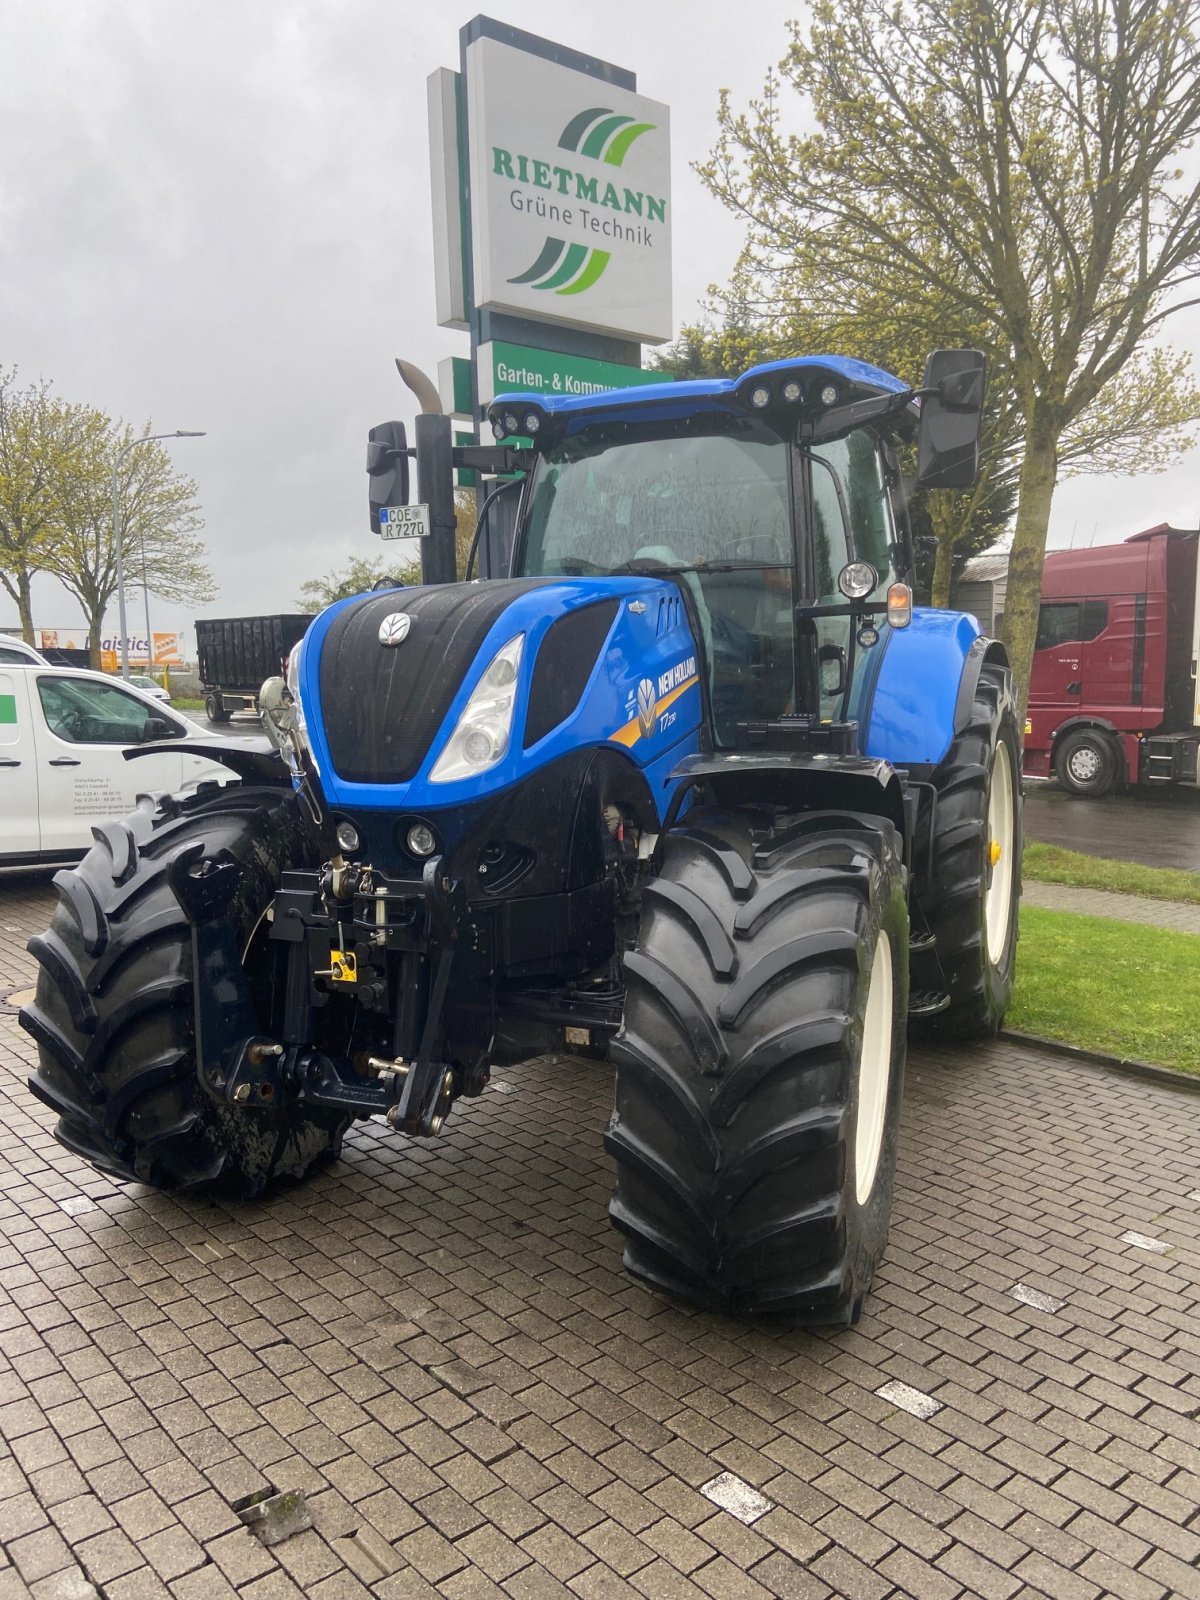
<point x="926" y="687"/>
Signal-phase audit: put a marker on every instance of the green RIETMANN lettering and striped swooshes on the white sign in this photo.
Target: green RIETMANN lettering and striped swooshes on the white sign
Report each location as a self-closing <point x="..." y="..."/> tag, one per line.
<point x="606" y="137"/>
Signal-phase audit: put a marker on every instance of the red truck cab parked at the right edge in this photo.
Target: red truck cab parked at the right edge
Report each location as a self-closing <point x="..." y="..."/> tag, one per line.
<point x="1113" y="695"/>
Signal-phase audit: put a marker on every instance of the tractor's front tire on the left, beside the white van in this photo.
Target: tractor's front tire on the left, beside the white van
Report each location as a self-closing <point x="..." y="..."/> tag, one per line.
<point x="114" y="1015"/>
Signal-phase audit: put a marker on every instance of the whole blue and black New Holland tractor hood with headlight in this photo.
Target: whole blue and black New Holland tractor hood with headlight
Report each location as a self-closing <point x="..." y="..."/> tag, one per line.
<point x="393" y="684"/>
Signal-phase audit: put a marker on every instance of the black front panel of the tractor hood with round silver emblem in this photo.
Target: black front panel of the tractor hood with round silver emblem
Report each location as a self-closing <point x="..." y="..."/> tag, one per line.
<point x="383" y="706"/>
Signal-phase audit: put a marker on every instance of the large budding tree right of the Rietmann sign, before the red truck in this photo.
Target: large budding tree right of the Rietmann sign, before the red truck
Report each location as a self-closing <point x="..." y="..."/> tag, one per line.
<point x="1020" y="159"/>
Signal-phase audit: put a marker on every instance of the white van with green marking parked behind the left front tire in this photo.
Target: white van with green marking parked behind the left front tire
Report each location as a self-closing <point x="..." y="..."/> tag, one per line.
<point x="62" y="766"/>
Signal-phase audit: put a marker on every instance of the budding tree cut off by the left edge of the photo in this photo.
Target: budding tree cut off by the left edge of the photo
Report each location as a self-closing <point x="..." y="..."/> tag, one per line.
<point x="38" y="438"/>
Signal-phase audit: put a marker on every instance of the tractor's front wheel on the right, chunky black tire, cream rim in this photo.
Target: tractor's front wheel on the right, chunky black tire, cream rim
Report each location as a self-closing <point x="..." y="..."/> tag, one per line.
<point x="761" y="1062"/>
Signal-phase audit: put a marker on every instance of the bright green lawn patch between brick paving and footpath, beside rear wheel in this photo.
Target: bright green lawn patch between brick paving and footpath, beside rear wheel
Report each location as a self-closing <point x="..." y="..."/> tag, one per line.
<point x="1113" y="986"/>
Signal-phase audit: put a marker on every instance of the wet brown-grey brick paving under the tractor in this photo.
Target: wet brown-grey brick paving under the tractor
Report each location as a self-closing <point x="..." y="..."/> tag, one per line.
<point x="438" y="1343"/>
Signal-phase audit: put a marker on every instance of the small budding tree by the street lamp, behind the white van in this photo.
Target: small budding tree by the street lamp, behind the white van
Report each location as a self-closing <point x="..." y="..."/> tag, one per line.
<point x="159" y="522"/>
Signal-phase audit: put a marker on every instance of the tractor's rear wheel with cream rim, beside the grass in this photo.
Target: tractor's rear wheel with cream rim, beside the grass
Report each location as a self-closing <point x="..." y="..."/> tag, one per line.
<point x="974" y="871"/>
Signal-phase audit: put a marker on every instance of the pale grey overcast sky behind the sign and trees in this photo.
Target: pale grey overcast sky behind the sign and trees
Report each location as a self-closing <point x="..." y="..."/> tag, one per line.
<point x="217" y="215"/>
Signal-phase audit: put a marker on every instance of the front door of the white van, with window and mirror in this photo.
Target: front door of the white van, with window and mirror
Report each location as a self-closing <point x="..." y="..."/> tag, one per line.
<point x="84" y="726"/>
